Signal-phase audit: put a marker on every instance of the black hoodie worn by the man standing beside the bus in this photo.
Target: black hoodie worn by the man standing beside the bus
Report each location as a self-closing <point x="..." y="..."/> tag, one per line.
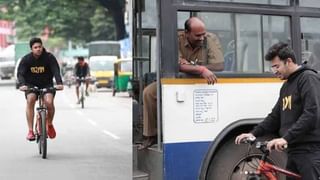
<point x="296" y="115"/>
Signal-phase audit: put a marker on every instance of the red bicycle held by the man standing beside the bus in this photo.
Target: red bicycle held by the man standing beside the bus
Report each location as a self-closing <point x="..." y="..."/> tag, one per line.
<point x="259" y="166"/>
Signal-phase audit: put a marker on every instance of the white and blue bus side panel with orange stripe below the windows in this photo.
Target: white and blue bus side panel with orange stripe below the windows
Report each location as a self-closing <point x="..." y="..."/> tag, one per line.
<point x="193" y="114"/>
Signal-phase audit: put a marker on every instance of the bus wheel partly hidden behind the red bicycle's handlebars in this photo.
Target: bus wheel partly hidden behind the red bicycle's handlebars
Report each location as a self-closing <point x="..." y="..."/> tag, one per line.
<point x="232" y="162"/>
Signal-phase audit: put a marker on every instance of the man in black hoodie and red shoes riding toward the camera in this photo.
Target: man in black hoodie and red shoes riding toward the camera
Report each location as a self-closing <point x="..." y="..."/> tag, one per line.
<point x="37" y="69"/>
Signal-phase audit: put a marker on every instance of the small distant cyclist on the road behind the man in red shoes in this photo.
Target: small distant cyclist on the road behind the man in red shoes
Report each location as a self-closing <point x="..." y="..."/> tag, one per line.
<point x="81" y="70"/>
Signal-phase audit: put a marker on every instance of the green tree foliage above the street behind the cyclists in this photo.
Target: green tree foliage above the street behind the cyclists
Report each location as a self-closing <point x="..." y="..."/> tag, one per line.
<point x="78" y="20"/>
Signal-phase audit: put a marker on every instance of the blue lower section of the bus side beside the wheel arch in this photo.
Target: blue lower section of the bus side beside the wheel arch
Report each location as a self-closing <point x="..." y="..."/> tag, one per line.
<point x="182" y="161"/>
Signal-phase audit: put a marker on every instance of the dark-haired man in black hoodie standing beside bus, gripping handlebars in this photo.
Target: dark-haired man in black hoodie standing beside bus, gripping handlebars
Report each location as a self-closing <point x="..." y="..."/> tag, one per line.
<point x="296" y="115"/>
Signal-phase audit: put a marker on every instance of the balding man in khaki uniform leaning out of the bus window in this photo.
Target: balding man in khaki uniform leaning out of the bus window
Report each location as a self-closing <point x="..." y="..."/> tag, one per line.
<point x="200" y="53"/>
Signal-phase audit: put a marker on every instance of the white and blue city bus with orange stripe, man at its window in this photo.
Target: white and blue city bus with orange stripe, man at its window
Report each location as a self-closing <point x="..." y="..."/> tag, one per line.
<point x="197" y="122"/>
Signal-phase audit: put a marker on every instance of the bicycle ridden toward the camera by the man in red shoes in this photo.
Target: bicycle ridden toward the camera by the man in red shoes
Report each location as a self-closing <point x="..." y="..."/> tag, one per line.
<point x="41" y="122"/>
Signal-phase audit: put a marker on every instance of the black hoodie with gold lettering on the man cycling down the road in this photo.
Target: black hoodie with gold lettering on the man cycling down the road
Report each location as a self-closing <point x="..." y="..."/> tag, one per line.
<point x="39" y="72"/>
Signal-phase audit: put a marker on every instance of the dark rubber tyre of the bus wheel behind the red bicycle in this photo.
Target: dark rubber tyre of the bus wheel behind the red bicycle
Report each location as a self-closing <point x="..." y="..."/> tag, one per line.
<point x="229" y="155"/>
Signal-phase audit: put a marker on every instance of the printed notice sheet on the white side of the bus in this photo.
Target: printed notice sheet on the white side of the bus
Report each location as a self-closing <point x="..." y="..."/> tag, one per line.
<point x="205" y="106"/>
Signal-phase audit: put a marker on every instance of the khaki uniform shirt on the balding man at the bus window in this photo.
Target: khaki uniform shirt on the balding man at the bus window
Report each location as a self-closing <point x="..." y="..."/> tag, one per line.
<point x="209" y="53"/>
